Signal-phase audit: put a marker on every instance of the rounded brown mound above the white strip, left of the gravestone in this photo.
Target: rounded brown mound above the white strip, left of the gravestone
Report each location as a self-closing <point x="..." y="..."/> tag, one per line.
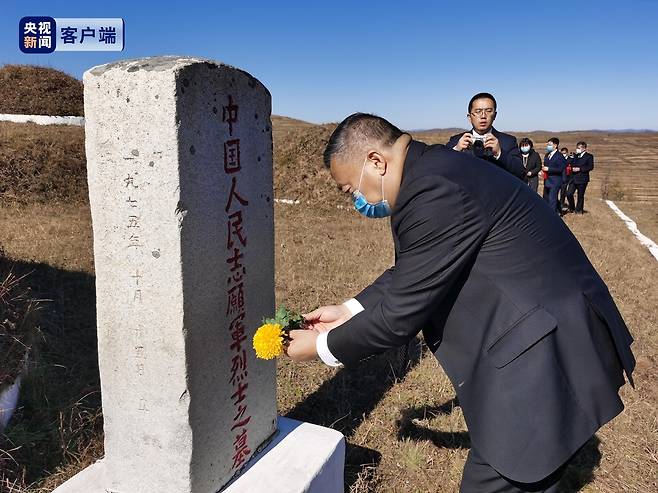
<point x="33" y="90"/>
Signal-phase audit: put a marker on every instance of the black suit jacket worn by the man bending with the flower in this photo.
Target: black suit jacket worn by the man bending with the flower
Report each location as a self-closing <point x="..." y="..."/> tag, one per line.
<point x="507" y="300"/>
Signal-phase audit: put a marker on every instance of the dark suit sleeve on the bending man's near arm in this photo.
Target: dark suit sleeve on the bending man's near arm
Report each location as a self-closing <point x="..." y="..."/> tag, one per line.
<point x="439" y="236"/>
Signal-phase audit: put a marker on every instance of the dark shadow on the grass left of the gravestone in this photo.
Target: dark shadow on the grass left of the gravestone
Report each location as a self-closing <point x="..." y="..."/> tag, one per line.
<point x="59" y="410"/>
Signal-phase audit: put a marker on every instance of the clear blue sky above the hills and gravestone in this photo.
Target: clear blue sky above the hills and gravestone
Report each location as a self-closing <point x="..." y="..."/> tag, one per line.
<point x="555" y="65"/>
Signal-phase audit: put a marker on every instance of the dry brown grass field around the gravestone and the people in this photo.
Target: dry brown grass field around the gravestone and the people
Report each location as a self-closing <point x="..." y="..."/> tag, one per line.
<point x="405" y="432"/>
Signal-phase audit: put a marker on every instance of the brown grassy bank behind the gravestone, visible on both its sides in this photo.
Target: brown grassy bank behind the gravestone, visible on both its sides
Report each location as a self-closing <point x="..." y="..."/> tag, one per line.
<point x="40" y="163"/>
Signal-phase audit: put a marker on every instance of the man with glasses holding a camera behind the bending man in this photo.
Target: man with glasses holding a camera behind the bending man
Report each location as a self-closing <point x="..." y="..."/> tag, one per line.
<point x="486" y="142"/>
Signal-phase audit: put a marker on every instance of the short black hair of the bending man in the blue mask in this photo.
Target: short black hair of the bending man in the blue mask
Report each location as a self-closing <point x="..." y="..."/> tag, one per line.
<point x="359" y="129"/>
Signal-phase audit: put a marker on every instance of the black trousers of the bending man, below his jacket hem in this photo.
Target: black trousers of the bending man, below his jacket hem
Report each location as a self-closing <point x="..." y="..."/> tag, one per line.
<point x="480" y="477"/>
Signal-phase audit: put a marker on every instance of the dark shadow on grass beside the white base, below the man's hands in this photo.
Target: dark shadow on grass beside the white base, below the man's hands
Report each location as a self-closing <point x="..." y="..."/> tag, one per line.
<point x="344" y="401"/>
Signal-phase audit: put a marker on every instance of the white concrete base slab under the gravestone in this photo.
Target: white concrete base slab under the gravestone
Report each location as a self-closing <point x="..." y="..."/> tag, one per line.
<point x="301" y="457"/>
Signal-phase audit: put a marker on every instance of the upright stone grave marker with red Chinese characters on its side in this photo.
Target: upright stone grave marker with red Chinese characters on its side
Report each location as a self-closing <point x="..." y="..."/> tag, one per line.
<point x="179" y="154"/>
